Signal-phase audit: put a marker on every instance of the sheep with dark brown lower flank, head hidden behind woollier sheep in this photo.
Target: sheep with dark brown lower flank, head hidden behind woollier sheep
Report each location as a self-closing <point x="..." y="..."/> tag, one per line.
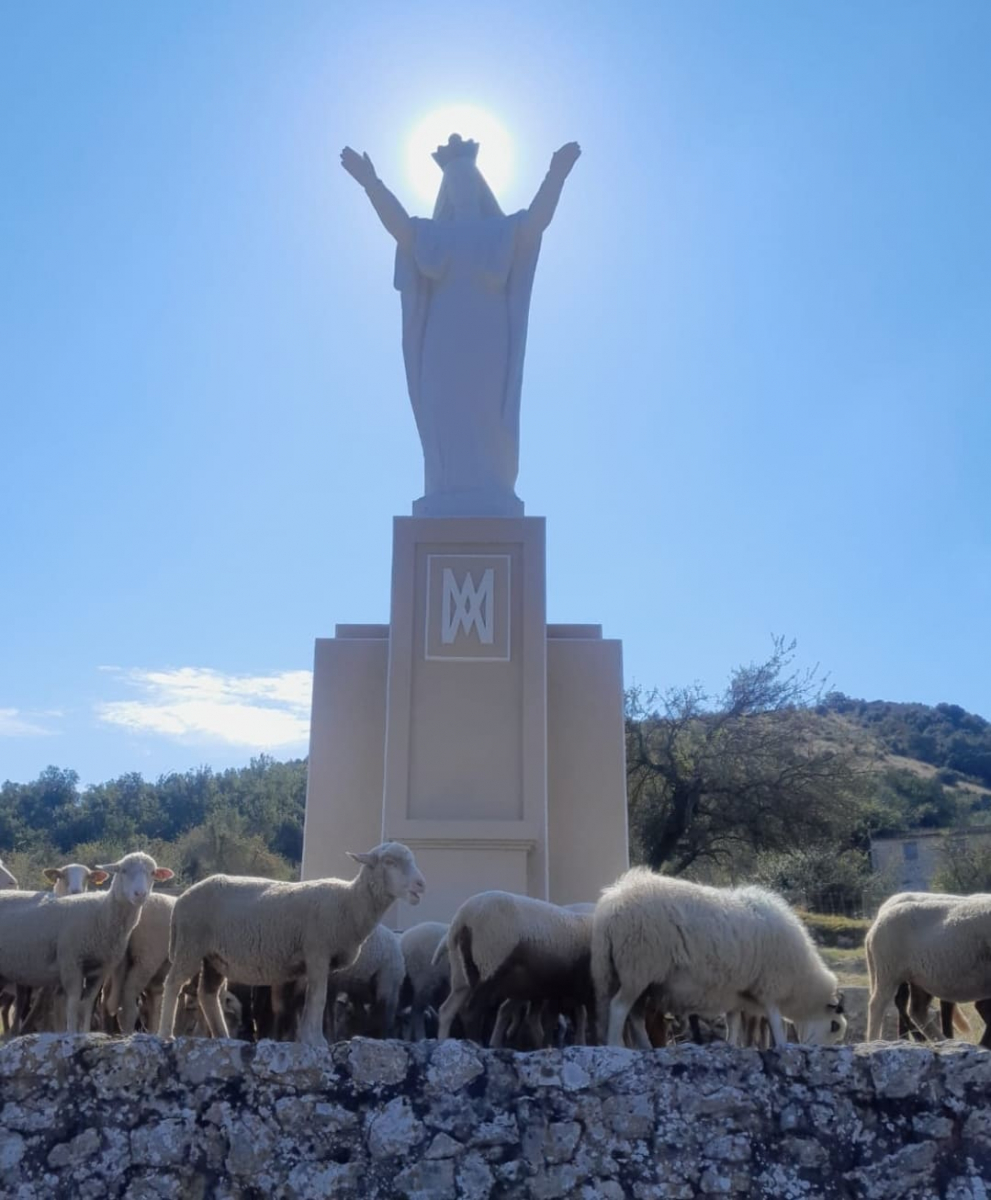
<point x="504" y="946"/>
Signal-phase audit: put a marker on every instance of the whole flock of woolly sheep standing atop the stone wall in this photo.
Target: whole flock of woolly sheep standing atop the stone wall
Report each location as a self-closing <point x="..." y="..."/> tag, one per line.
<point x="259" y="958"/>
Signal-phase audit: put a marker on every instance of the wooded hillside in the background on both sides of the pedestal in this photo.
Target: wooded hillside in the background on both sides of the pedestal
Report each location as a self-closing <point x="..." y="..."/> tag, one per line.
<point x="926" y="769"/>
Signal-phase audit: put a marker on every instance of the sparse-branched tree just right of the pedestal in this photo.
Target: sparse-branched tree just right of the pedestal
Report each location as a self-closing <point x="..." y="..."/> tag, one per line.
<point x="717" y="779"/>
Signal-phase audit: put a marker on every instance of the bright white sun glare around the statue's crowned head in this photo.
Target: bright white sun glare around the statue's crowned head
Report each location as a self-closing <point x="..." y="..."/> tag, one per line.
<point x="434" y="130"/>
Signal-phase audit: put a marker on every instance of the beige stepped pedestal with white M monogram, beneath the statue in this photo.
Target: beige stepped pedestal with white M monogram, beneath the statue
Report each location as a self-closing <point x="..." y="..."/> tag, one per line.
<point x="488" y="741"/>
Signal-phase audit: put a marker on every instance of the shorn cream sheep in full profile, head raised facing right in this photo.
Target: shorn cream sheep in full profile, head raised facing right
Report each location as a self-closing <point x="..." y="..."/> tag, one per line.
<point x="260" y="932"/>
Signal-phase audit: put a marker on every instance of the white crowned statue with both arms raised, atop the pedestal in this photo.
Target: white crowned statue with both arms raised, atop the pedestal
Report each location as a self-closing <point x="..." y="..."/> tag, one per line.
<point x="465" y="279"/>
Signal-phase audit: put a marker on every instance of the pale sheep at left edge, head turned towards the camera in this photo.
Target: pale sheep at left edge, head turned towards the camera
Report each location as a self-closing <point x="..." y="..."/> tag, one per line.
<point x="75" y="941"/>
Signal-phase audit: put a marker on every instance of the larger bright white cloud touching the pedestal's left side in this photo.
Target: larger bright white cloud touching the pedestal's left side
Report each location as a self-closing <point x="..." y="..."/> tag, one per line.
<point x="199" y="705"/>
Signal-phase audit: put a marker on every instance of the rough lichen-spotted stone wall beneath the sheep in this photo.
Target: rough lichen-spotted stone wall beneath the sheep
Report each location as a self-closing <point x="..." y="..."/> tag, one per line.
<point x="92" y="1118"/>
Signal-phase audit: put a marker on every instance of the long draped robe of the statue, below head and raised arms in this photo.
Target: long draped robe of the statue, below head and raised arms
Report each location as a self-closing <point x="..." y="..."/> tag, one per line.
<point x="466" y="298"/>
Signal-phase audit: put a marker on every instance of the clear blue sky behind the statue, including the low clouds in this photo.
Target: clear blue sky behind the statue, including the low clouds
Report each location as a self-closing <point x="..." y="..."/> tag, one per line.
<point x="758" y="382"/>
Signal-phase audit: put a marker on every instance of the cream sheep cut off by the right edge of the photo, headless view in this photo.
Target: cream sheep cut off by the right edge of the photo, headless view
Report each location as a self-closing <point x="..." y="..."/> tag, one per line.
<point x="940" y="945"/>
